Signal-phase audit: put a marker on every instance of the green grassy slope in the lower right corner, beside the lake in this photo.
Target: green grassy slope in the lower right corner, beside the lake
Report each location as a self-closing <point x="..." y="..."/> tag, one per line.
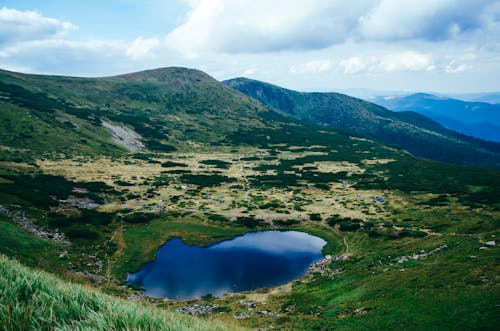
<point x="445" y="291"/>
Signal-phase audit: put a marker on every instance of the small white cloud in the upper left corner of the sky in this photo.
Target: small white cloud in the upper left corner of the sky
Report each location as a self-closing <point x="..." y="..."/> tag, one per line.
<point x="18" y="26"/>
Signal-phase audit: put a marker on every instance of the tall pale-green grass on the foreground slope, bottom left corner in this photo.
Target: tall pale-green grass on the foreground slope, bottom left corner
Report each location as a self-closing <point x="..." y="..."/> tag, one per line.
<point x="34" y="300"/>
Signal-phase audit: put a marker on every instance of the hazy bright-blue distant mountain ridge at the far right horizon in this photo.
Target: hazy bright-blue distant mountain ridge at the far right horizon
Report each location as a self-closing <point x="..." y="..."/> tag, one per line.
<point x="478" y="119"/>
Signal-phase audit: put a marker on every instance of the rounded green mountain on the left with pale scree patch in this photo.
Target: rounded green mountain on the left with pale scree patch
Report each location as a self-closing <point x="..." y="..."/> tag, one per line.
<point x="167" y="108"/>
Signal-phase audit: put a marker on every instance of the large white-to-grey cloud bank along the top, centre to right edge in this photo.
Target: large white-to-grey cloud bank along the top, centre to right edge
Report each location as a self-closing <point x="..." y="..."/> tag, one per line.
<point x="252" y="26"/>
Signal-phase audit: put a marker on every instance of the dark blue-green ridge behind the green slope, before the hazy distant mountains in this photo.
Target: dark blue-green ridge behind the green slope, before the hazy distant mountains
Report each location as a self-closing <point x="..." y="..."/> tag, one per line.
<point x="409" y="130"/>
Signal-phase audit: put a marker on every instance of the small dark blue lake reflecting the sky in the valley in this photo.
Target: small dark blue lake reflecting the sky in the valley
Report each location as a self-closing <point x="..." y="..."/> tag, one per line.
<point x="254" y="260"/>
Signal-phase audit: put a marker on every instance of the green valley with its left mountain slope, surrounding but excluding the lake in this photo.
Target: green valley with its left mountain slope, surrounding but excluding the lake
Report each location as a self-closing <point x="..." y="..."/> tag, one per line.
<point x="412" y="241"/>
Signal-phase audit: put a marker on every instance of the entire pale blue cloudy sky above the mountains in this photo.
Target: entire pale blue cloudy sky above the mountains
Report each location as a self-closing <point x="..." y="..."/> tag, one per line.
<point x="325" y="45"/>
